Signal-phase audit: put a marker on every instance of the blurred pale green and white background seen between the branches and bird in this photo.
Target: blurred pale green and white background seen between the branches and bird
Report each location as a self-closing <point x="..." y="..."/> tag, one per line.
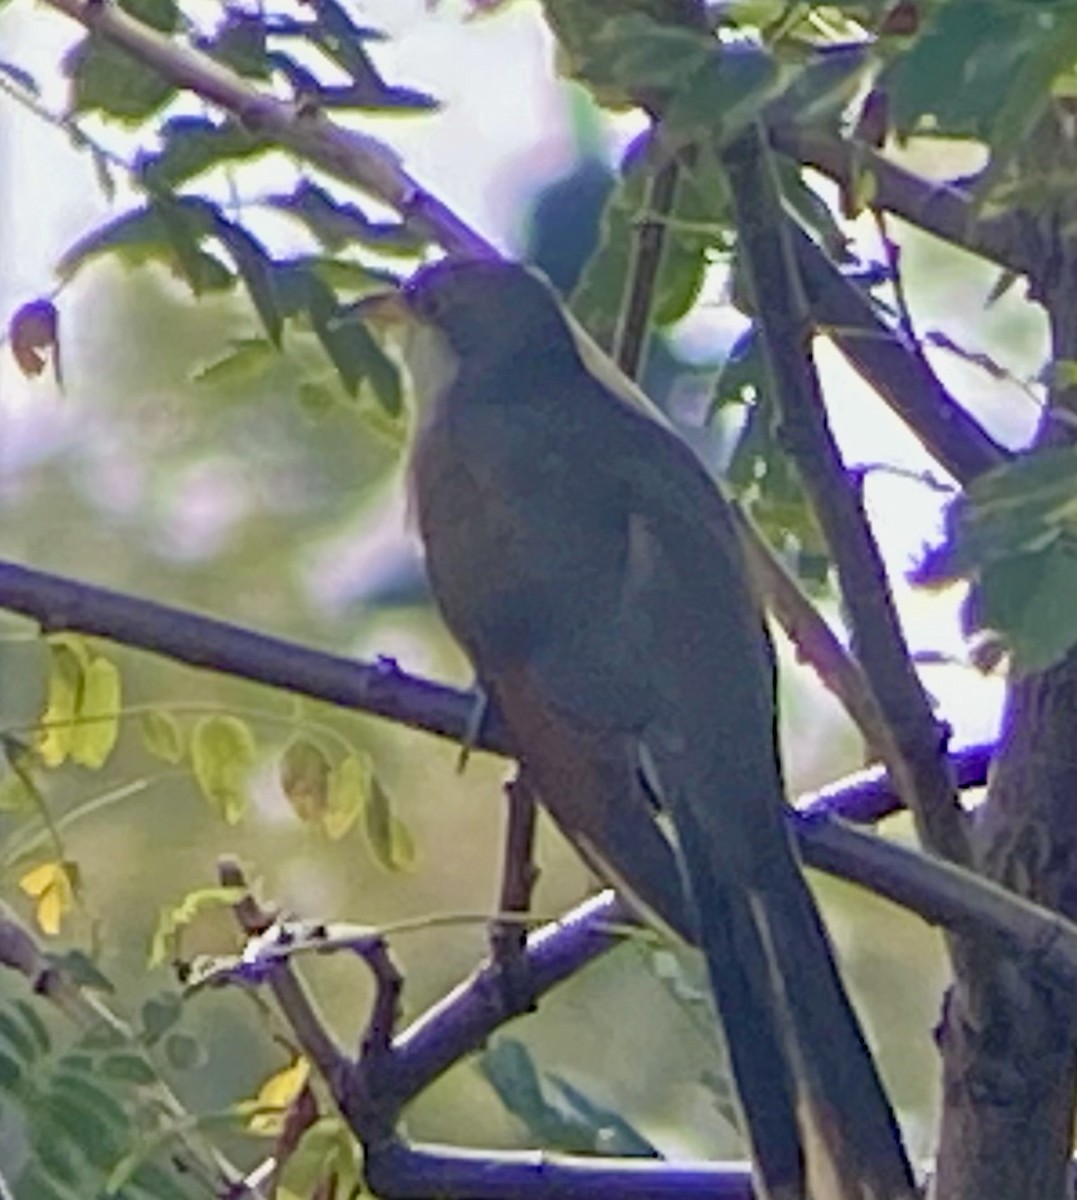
<point x="255" y="488"/>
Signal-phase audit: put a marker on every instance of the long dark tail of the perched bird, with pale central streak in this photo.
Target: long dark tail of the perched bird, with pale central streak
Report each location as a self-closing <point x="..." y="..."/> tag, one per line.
<point x="816" y="1113"/>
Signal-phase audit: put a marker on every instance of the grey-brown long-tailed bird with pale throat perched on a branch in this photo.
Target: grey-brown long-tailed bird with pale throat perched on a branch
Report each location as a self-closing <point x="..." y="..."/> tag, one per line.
<point x="593" y="573"/>
